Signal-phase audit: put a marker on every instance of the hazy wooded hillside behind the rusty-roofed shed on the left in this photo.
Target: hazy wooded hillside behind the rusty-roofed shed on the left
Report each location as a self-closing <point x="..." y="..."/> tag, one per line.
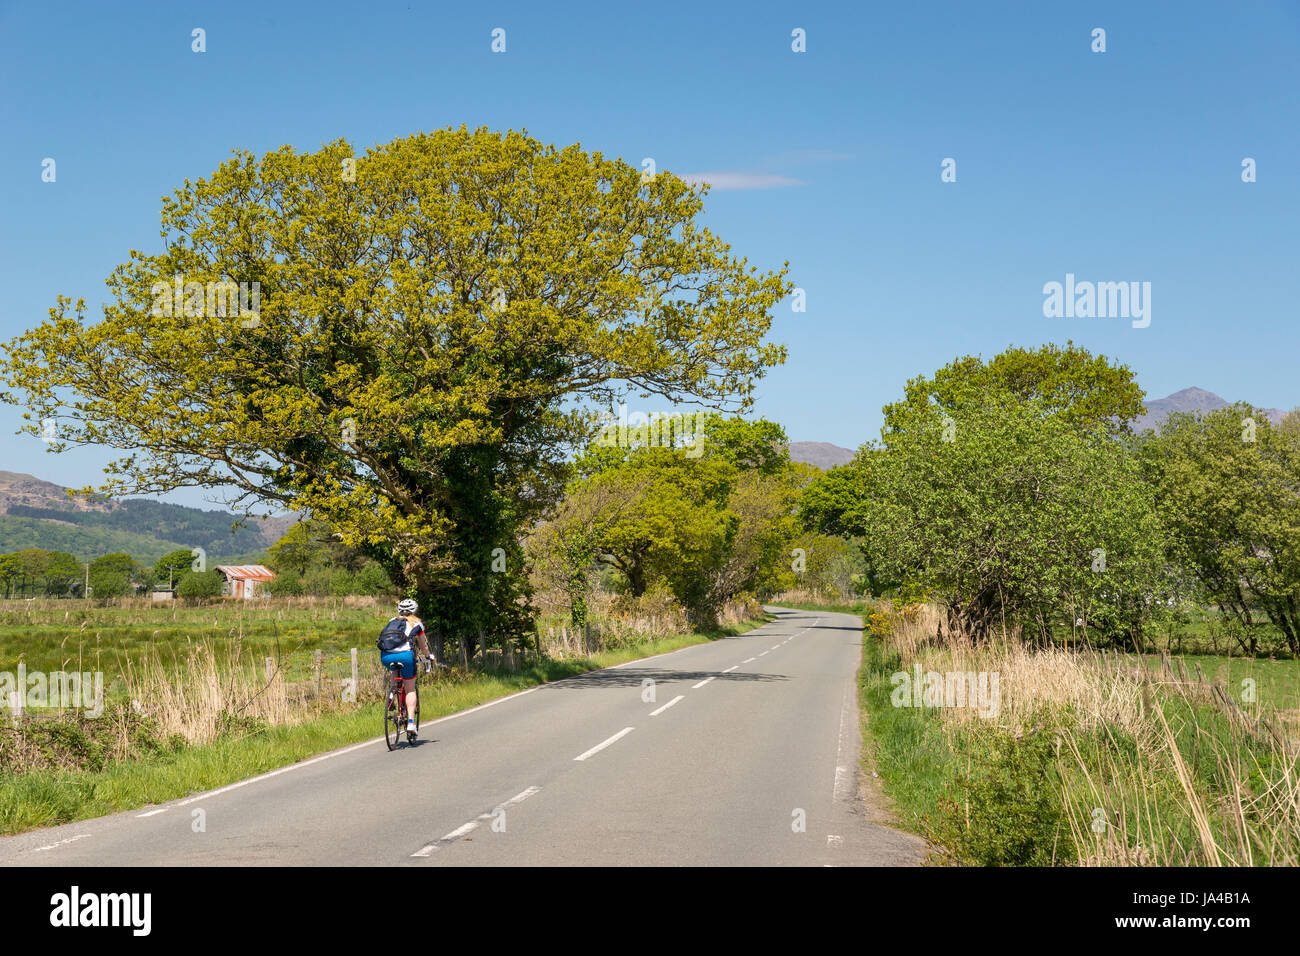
<point x="41" y="514"/>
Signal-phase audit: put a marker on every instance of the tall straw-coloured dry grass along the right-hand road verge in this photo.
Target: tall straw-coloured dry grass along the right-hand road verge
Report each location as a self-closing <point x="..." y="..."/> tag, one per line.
<point x="1154" y="773"/>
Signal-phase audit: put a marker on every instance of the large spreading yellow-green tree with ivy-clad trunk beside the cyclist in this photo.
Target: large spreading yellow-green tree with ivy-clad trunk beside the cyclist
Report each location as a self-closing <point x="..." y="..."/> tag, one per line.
<point x="423" y="336"/>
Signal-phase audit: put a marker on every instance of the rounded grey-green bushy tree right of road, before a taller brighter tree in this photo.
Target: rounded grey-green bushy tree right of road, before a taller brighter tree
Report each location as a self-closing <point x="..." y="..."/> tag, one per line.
<point x="1006" y="513"/>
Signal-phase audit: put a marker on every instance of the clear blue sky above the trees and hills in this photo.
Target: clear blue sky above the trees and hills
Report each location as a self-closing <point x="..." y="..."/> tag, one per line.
<point x="1124" y="166"/>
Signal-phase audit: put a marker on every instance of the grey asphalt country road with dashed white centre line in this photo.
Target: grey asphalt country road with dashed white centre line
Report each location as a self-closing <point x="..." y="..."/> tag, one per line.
<point x="747" y="755"/>
